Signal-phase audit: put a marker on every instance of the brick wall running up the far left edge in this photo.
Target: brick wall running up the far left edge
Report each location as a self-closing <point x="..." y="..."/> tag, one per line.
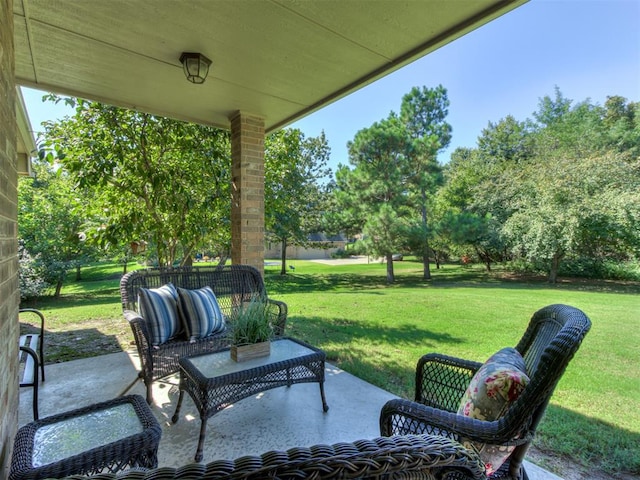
<point x="9" y="295"/>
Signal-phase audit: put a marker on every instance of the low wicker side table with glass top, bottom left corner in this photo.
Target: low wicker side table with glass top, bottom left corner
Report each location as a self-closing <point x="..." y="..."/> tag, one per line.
<point x="108" y="436"/>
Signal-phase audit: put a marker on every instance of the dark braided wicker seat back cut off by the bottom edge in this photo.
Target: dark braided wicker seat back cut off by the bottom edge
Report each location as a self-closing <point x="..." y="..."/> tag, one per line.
<point x="424" y="457"/>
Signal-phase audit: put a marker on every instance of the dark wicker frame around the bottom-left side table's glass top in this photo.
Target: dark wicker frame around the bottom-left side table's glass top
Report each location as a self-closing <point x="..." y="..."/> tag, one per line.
<point x="139" y="450"/>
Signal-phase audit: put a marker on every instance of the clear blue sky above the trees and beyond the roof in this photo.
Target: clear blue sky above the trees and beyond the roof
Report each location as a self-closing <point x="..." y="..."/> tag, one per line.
<point x="590" y="49"/>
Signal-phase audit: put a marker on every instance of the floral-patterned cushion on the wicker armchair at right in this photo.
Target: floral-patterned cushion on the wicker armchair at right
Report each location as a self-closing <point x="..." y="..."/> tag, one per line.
<point x="494" y="387"/>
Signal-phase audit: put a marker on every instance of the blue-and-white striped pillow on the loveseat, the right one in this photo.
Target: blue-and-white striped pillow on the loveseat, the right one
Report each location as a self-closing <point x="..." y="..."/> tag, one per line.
<point x="200" y="312"/>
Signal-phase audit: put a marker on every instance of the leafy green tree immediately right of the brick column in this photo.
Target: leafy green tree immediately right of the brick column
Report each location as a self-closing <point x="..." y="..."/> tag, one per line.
<point x="295" y="167"/>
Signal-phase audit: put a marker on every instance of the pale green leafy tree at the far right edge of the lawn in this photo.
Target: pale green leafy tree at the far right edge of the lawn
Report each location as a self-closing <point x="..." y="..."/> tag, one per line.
<point x="566" y="203"/>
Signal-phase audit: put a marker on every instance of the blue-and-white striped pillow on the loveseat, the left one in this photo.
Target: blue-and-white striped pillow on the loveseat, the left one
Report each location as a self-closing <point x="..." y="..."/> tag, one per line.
<point x="158" y="306"/>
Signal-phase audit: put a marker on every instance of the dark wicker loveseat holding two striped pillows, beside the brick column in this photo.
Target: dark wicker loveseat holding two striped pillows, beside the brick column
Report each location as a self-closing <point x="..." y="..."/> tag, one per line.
<point x="232" y="285"/>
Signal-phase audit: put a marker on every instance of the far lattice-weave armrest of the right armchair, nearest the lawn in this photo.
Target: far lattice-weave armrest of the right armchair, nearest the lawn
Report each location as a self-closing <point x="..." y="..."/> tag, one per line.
<point x="442" y="380"/>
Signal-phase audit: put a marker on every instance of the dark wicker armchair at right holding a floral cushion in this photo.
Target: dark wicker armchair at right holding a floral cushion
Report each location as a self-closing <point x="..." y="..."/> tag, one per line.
<point x="550" y="341"/>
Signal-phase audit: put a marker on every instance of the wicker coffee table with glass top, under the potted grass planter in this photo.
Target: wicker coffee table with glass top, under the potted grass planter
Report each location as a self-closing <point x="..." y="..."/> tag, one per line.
<point x="215" y="381"/>
